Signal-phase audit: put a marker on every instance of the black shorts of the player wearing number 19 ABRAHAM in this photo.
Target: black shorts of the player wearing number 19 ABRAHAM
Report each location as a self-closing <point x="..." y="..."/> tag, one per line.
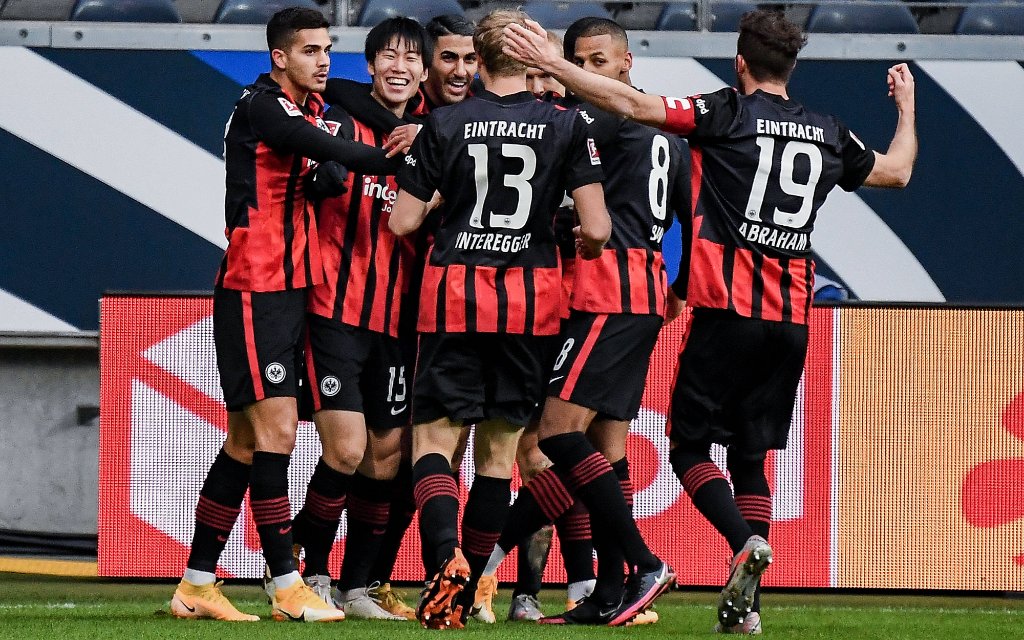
<point x="737" y="382"/>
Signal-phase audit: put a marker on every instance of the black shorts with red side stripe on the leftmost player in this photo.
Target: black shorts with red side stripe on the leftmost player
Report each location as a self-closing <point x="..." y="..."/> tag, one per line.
<point x="259" y="338"/>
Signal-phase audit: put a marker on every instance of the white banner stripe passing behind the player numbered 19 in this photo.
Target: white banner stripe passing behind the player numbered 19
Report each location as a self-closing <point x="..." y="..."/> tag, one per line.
<point x="849" y="235"/>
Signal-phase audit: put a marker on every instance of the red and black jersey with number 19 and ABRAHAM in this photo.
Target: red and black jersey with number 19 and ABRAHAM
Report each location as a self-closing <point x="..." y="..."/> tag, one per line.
<point x="762" y="166"/>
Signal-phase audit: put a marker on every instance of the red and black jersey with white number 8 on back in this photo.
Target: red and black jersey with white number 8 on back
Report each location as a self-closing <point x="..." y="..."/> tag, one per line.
<point x="646" y="187"/>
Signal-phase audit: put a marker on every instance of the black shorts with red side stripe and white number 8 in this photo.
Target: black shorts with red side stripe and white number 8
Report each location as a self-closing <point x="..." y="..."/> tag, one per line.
<point x="603" y="362"/>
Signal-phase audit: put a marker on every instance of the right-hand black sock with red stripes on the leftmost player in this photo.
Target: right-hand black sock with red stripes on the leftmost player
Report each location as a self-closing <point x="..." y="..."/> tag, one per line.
<point x="272" y="511"/>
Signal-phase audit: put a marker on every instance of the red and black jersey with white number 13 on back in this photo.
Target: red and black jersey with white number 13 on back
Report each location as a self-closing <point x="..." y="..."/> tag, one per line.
<point x="502" y="165"/>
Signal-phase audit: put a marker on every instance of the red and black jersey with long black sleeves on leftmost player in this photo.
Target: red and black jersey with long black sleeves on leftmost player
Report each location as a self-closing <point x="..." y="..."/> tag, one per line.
<point x="271" y="144"/>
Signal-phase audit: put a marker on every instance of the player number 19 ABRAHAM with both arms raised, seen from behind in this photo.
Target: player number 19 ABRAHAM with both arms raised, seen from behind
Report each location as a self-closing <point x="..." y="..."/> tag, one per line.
<point x="762" y="166"/>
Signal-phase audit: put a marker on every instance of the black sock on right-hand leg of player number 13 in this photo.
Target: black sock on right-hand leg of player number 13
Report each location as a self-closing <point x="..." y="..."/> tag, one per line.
<point x="485" y="517"/>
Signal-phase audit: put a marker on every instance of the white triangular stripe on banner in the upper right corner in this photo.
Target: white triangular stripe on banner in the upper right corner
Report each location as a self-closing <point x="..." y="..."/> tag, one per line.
<point x="970" y="83"/>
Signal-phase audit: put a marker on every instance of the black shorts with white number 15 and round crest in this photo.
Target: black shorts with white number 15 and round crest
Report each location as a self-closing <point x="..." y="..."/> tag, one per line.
<point x="359" y="370"/>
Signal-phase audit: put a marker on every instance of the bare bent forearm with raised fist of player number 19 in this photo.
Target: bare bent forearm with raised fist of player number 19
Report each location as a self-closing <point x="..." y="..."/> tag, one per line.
<point x="893" y="168"/>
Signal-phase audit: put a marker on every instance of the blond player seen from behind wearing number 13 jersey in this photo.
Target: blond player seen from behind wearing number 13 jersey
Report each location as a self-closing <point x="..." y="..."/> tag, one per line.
<point x="502" y="162"/>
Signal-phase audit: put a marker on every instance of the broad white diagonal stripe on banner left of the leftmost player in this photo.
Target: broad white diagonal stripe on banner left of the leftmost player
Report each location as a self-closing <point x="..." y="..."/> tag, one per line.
<point x="115" y="144"/>
